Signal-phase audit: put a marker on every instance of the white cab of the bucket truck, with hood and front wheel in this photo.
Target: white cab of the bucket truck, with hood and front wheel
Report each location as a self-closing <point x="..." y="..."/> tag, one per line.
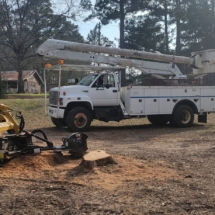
<point x="97" y="96"/>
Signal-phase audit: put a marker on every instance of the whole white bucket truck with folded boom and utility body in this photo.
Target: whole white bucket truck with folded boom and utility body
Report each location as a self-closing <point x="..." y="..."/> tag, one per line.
<point x="100" y="95"/>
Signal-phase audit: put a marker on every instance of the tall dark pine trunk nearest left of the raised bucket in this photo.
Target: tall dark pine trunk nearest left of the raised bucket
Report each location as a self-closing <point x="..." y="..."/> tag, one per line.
<point x="178" y="29"/>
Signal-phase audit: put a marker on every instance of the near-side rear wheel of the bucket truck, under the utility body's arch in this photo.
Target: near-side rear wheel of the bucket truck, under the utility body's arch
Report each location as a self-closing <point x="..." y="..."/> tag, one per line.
<point x="183" y="116"/>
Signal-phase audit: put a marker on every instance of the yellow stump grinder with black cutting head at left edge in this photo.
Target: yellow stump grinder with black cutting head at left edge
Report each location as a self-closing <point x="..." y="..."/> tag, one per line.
<point x="19" y="141"/>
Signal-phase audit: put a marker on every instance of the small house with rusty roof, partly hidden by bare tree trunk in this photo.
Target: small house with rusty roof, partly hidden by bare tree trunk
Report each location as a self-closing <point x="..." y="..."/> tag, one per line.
<point x="33" y="83"/>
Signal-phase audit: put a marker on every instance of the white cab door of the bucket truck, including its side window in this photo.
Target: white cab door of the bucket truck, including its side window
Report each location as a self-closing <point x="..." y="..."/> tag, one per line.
<point x="104" y="91"/>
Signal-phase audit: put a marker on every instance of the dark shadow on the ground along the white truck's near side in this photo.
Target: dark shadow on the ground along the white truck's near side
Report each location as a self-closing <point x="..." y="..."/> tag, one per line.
<point x="130" y="133"/>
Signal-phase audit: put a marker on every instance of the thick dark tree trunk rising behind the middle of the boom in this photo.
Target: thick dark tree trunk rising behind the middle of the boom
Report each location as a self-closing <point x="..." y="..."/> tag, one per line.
<point x="122" y="25"/>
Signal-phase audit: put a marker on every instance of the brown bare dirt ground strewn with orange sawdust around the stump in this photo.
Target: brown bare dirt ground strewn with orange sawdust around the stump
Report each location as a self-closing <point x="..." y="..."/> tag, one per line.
<point x="158" y="170"/>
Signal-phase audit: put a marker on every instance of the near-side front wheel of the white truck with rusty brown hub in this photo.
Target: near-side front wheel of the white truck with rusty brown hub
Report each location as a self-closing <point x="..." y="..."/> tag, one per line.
<point x="78" y="119"/>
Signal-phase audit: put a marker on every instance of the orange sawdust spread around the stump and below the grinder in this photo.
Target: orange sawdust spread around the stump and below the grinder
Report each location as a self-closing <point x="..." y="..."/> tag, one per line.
<point x="57" y="167"/>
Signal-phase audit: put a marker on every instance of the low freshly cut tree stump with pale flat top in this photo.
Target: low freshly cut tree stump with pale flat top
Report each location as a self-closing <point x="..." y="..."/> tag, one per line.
<point x="97" y="158"/>
